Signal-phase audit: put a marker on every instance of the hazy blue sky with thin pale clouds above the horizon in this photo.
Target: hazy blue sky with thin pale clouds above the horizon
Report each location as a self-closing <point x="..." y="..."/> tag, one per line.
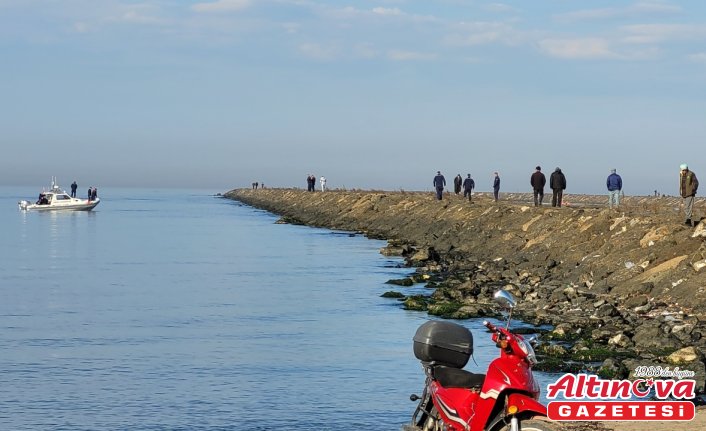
<point x="218" y="94"/>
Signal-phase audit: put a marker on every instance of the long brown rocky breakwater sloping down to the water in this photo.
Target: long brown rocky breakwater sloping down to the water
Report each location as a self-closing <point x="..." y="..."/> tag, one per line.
<point x="616" y="289"/>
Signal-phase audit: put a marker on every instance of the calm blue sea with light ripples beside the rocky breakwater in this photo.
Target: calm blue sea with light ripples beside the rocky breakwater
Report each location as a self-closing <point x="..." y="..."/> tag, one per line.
<point x="178" y="310"/>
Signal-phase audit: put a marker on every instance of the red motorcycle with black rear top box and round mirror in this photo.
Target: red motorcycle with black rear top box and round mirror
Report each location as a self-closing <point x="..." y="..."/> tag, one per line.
<point x="505" y="398"/>
